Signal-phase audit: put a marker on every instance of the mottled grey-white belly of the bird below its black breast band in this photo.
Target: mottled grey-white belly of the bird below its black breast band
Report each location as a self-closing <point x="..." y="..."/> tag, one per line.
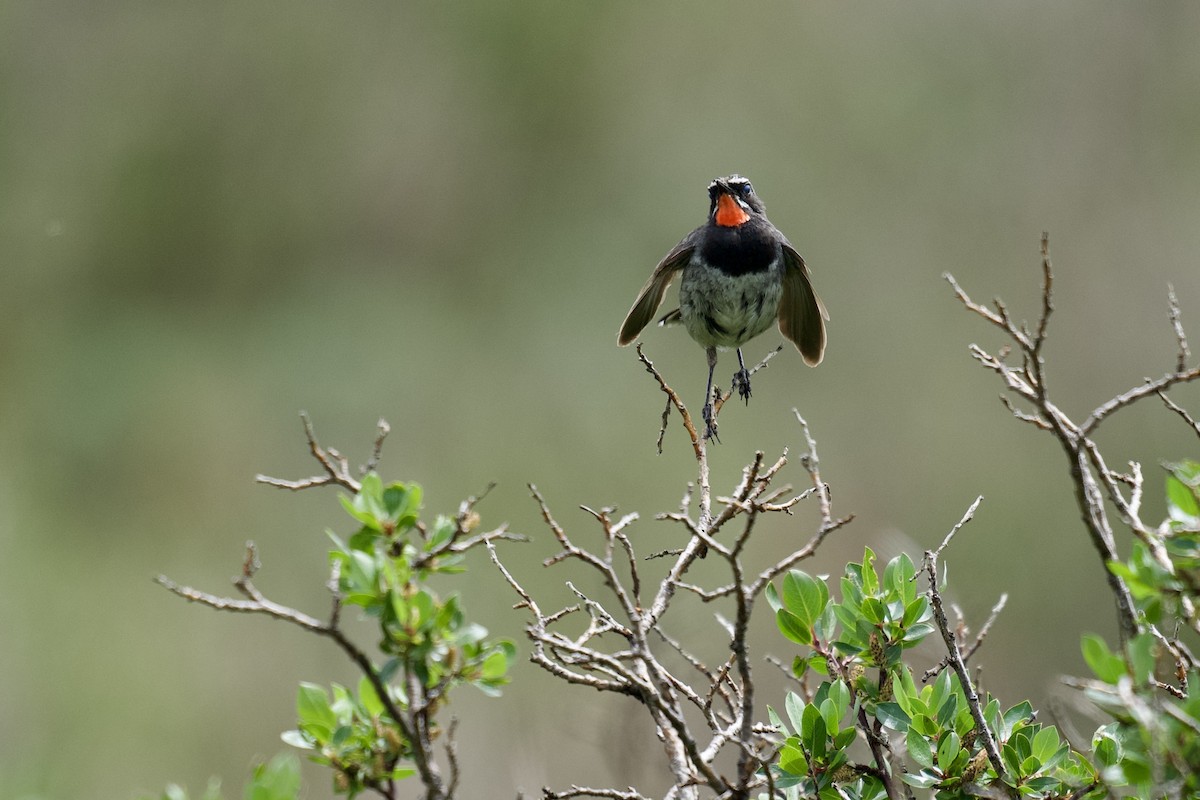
<point x="725" y="310"/>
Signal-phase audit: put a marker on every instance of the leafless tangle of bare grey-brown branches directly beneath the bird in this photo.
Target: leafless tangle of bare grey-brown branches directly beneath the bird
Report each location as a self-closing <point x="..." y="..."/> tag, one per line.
<point x="619" y="649"/>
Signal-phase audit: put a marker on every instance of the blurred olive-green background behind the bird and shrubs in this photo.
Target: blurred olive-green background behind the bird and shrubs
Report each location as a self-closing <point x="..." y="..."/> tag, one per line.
<point x="213" y="216"/>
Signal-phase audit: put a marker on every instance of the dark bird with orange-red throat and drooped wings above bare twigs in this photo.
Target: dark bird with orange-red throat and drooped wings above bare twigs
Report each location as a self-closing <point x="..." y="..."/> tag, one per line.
<point x="740" y="274"/>
